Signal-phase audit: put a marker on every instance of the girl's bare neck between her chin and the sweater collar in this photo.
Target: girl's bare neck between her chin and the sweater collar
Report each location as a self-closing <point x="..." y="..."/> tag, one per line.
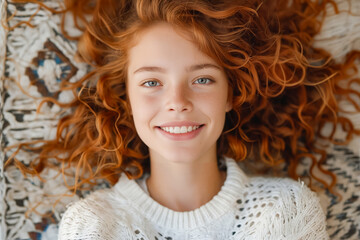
<point x="184" y="186"/>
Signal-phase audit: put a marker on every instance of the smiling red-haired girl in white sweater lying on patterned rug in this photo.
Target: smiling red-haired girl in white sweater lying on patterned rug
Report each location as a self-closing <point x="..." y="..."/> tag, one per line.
<point x="182" y="91"/>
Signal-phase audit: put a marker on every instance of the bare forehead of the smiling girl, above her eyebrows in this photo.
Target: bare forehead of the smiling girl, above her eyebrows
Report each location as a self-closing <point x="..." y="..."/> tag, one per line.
<point x="162" y="44"/>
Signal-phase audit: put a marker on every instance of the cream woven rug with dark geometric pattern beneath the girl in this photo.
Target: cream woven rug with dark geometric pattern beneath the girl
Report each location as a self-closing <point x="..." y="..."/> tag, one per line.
<point x="35" y="57"/>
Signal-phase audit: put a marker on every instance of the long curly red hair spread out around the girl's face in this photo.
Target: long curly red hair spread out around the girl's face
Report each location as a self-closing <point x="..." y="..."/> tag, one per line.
<point x="284" y="90"/>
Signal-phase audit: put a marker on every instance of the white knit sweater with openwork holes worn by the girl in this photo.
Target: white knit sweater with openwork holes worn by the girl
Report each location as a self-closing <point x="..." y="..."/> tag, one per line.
<point x="245" y="208"/>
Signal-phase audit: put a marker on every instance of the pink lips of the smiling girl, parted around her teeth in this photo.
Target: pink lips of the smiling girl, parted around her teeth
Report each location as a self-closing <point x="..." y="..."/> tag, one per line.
<point x="180" y="136"/>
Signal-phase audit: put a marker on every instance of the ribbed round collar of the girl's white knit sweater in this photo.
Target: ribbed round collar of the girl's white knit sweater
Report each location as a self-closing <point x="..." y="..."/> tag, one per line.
<point x="164" y="217"/>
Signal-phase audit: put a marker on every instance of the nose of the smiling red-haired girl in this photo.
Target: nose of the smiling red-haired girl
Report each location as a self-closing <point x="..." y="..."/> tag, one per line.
<point x="179" y="99"/>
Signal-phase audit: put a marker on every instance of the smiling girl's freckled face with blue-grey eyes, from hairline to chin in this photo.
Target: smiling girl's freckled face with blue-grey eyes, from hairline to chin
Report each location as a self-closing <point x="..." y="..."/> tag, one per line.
<point x="178" y="96"/>
